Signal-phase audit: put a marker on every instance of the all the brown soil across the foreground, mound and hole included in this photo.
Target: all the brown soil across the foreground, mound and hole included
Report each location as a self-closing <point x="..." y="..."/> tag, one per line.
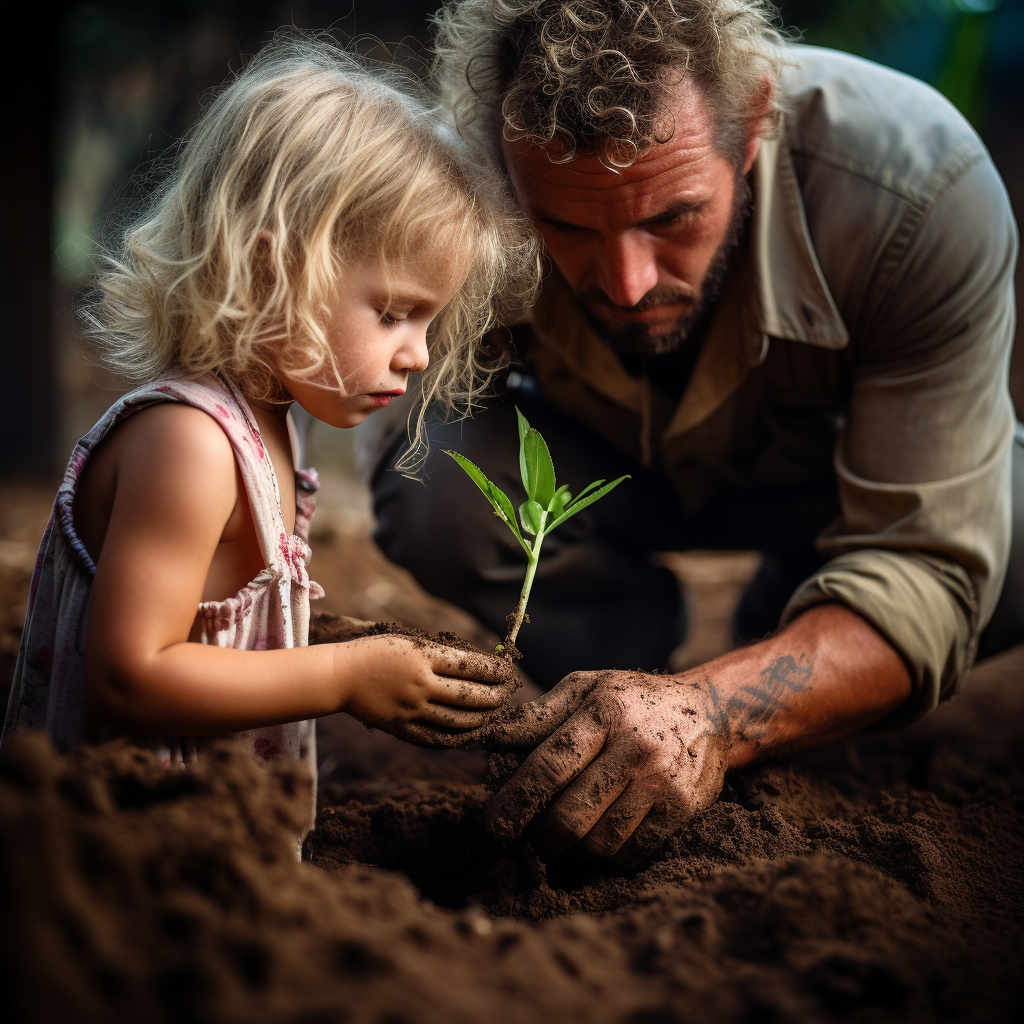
<point x="877" y="880"/>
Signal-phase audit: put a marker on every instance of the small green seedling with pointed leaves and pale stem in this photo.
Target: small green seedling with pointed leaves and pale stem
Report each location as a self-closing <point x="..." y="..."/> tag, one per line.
<point x="547" y="506"/>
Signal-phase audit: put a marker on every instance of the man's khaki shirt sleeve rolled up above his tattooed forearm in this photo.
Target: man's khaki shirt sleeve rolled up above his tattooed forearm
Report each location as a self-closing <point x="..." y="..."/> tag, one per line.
<point x="923" y="461"/>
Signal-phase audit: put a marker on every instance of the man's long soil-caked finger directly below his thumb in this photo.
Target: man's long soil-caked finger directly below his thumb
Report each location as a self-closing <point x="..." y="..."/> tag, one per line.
<point x="552" y="766"/>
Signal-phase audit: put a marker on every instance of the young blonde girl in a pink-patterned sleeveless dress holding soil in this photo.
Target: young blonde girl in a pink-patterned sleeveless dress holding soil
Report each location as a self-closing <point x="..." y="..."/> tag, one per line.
<point x="316" y="231"/>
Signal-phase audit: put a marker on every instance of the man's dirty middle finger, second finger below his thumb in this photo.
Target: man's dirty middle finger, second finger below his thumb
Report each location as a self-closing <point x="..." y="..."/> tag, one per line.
<point x="580" y="806"/>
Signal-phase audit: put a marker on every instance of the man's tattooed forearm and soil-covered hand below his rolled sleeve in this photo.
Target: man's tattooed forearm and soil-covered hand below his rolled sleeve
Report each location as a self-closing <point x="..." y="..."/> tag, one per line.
<point x="628" y="757"/>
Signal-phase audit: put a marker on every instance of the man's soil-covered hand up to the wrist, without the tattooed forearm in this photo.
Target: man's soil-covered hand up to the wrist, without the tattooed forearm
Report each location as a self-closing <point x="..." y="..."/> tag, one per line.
<point x="629" y="757"/>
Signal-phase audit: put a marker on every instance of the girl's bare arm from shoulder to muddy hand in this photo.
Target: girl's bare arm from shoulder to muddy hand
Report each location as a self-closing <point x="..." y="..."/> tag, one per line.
<point x="178" y="497"/>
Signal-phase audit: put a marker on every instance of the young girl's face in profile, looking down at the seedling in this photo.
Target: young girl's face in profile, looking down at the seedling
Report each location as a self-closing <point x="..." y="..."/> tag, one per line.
<point x="378" y="336"/>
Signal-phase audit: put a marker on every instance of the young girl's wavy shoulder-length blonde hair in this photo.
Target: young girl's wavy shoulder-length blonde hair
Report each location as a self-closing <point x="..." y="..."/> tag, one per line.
<point x="307" y="162"/>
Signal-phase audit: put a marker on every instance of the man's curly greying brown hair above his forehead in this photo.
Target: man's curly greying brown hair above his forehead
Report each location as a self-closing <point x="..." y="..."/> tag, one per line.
<point x="593" y="76"/>
